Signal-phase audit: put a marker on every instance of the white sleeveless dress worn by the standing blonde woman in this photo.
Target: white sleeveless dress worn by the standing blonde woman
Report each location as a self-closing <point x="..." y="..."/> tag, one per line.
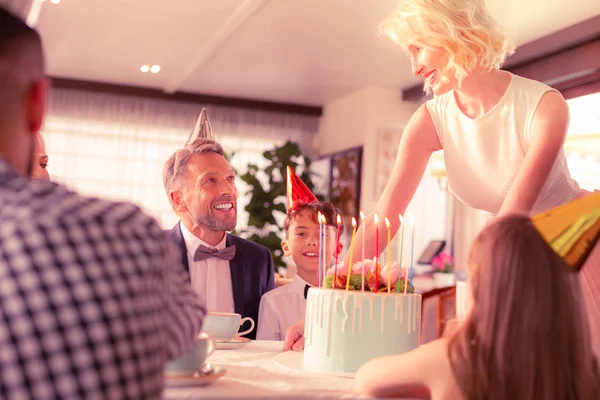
<point x="483" y="156"/>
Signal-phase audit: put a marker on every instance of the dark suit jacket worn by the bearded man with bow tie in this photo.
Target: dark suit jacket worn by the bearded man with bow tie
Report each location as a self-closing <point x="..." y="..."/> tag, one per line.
<point x="251" y="273"/>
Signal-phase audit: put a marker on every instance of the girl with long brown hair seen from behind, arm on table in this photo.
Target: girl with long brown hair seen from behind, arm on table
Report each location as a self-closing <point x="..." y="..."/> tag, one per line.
<point x="526" y="337"/>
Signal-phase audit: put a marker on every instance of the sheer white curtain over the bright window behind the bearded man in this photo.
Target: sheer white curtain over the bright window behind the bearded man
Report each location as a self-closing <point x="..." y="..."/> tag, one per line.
<point x="114" y="146"/>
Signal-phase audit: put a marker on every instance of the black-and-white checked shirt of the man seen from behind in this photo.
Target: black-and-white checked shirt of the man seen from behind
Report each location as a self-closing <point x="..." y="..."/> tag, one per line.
<point x="92" y="302"/>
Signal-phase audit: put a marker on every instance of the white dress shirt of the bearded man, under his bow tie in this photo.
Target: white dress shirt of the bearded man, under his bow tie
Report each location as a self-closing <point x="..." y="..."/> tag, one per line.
<point x="211" y="278"/>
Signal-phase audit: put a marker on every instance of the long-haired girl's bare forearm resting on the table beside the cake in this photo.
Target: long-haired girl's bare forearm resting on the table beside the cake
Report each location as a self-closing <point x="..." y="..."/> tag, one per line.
<point x="408" y="374"/>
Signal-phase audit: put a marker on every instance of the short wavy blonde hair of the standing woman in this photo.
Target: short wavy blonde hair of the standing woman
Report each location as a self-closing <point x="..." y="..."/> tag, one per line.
<point x="464" y="29"/>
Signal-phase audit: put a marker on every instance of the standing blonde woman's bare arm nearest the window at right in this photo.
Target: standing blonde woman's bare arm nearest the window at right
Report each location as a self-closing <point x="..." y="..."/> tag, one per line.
<point x="547" y="135"/>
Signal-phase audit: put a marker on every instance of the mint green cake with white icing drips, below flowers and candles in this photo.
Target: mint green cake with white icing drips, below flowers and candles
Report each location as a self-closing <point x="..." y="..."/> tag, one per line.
<point x="345" y="329"/>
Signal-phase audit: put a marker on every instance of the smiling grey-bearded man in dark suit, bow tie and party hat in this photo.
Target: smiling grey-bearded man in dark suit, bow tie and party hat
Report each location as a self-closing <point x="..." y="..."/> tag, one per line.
<point x="230" y="274"/>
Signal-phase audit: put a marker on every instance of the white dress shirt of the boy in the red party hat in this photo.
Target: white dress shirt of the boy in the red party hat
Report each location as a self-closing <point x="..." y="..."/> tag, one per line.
<point x="280" y="309"/>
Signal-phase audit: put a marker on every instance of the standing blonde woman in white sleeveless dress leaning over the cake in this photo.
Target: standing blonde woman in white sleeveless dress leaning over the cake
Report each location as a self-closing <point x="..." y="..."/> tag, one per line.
<point x="502" y="134"/>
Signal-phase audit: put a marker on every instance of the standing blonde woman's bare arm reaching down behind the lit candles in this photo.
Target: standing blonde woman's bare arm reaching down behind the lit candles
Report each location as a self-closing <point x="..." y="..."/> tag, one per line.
<point x="418" y="141"/>
